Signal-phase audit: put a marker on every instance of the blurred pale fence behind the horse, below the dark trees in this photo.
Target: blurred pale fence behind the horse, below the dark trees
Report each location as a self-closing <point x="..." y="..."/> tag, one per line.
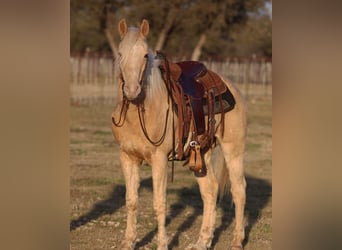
<point x="93" y="77"/>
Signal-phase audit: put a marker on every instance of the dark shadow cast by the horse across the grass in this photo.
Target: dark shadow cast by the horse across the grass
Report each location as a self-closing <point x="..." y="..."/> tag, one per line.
<point x="258" y="194"/>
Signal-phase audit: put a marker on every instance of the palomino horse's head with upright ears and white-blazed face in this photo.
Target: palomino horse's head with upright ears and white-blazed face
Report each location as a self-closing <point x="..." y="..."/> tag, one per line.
<point x="133" y="58"/>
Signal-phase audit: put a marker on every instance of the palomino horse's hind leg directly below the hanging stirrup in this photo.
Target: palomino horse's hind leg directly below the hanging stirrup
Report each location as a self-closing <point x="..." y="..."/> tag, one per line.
<point x="209" y="189"/>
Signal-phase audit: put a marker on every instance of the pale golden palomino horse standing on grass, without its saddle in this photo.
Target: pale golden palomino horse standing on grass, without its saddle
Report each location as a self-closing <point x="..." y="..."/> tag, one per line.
<point x="140" y="82"/>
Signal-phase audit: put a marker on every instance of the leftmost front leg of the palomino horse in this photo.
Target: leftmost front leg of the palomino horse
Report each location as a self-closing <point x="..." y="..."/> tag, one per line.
<point x="130" y="168"/>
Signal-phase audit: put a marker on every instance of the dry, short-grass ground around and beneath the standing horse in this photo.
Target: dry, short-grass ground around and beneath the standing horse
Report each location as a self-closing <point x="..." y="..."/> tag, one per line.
<point x="97" y="188"/>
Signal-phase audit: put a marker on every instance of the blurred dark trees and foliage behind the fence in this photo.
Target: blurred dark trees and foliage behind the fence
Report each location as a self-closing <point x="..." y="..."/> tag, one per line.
<point x="233" y="27"/>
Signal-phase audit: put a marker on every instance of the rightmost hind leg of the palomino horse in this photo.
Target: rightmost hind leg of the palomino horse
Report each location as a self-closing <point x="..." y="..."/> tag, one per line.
<point x="234" y="158"/>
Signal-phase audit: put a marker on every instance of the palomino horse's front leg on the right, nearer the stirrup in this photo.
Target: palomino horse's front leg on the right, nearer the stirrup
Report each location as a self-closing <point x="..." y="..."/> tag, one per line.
<point x="159" y="175"/>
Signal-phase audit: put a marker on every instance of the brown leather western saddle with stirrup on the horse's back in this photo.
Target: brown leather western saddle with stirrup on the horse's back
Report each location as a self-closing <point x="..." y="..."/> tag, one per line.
<point x="198" y="94"/>
